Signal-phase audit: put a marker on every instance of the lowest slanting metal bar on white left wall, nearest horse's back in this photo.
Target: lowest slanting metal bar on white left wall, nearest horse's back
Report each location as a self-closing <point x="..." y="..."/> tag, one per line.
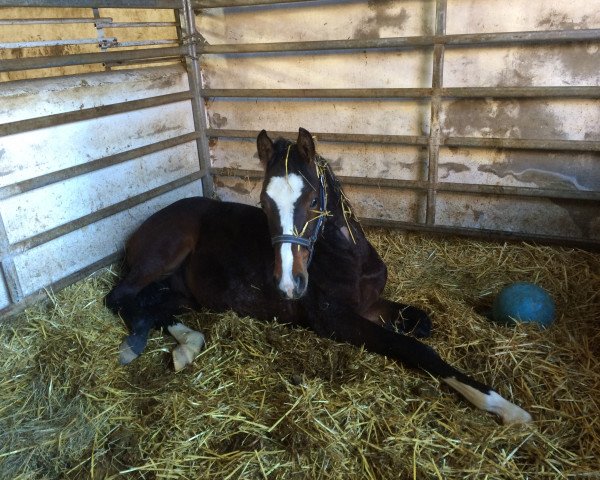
<point x="101" y="214"/>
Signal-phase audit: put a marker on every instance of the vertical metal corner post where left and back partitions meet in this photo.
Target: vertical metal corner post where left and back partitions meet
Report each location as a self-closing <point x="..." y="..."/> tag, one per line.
<point x="189" y="36"/>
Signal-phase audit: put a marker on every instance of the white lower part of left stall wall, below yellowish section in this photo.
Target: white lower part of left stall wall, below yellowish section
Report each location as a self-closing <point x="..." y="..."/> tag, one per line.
<point x="42" y="242"/>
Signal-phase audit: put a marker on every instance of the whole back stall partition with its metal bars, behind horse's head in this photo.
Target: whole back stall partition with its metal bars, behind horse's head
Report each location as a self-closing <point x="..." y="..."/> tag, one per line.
<point x="473" y="119"/>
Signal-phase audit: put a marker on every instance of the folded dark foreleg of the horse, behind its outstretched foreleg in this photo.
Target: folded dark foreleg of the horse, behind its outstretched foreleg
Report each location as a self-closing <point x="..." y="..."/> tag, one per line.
<point x="399" y="318"/>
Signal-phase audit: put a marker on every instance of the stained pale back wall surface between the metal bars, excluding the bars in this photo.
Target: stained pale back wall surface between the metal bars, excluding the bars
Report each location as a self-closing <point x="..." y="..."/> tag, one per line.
<point x="546" y="64"/>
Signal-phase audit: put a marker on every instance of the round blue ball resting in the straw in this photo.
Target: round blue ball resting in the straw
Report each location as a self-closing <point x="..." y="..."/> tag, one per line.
<point x="524" y="302"/>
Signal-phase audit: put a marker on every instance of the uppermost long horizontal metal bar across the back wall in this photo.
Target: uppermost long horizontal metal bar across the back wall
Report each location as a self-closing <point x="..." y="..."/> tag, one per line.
<point x="457" y="40"/>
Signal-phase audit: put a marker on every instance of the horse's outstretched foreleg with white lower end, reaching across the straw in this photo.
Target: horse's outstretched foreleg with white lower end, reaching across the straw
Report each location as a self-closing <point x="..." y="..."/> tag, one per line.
<point x="352" y="328"/>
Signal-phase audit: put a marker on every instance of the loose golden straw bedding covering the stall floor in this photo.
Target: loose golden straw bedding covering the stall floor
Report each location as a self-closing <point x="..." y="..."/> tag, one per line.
<point x="267" y="401"/>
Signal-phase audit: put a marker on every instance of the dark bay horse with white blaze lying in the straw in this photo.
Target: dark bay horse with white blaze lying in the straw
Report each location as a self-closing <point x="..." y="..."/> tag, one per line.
<point x="302" y="259"/>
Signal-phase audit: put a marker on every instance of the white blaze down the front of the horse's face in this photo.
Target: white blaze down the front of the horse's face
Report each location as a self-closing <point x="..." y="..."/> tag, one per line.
<point x="285" y="192"/>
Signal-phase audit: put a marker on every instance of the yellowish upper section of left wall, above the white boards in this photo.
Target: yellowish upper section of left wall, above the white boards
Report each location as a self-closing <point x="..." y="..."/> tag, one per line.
<point x="27" y="33"/>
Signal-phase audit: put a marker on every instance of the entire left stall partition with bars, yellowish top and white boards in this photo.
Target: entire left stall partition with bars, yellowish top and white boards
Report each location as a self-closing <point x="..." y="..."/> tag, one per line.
<point x="86" y="158"/>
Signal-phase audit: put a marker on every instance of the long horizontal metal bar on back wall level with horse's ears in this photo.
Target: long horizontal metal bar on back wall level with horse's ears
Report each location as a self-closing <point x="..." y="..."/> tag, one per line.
<point x="471" y="142"/>
